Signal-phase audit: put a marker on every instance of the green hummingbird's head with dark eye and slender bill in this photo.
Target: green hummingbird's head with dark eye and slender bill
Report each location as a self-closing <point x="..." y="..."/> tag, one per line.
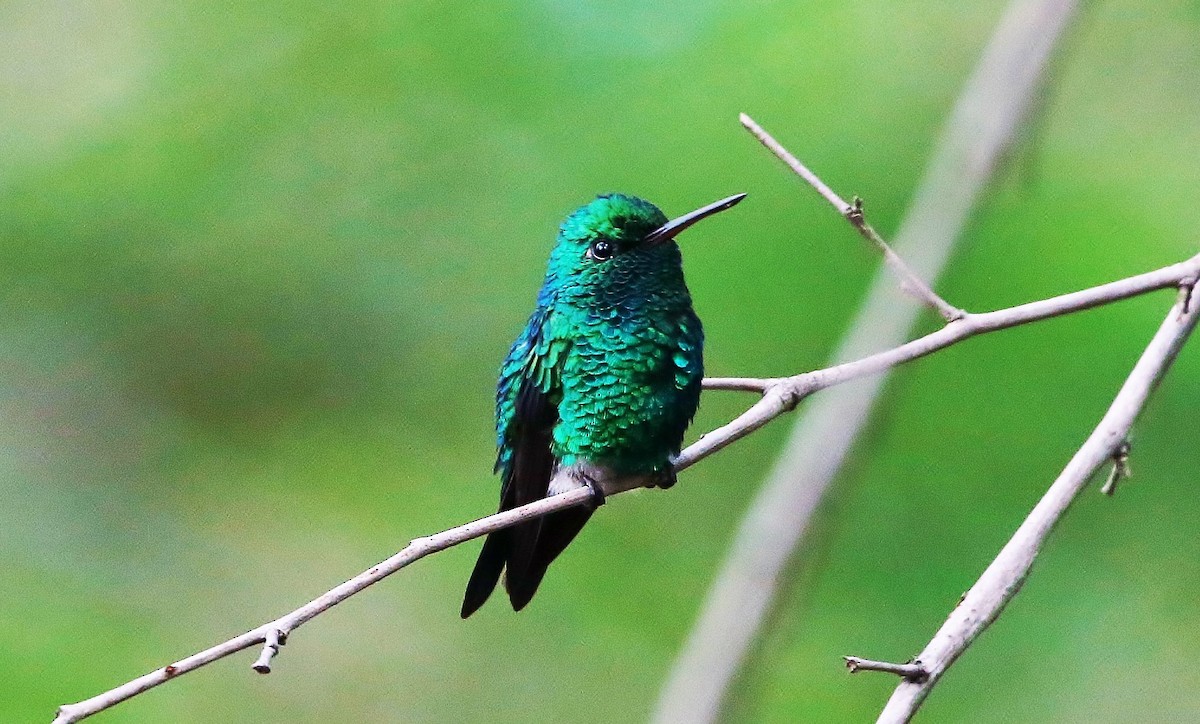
<point x="616" y="237"/>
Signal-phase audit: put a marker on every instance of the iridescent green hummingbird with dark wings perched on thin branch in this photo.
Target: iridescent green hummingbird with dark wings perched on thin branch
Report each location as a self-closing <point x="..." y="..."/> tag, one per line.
<point x="601" y="386"/>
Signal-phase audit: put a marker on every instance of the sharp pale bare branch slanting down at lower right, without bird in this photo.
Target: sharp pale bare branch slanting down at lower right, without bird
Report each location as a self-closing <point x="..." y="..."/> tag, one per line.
<point x="1003" y="581"/>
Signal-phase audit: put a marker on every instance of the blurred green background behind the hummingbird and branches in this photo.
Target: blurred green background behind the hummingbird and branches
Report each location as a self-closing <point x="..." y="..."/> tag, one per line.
<point x="259" y="266"/>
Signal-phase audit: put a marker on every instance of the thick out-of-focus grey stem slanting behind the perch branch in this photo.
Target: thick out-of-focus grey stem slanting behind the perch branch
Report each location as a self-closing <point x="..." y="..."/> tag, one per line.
<point x="981" y="128"/>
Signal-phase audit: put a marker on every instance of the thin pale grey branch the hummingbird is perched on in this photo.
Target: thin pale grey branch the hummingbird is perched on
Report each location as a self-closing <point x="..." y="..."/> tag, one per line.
<point x="781" y="396"/>
